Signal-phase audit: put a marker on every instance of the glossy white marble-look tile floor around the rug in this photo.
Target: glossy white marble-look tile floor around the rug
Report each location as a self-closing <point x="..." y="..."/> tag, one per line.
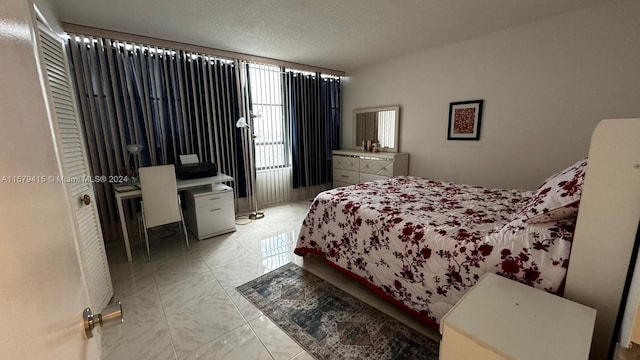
<point x="183" y="304"/>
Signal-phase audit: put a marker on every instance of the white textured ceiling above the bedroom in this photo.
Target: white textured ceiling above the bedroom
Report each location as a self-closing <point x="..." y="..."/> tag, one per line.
<point x="334" y="34"/>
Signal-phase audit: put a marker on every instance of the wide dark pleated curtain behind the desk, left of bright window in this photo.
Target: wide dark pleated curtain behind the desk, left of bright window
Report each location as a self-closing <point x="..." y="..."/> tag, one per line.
<point x="171" y="102"/>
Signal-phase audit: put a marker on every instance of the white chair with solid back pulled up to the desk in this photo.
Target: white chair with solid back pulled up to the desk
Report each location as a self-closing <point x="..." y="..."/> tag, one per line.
<point x="160" y="200"/>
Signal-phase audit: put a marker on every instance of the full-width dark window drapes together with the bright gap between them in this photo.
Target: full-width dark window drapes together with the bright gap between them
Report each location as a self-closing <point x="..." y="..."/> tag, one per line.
<point x="175" y="102"/>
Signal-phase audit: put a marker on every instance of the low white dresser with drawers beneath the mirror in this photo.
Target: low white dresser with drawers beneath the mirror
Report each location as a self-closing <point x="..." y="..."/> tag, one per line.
<point x="354" y="166"/>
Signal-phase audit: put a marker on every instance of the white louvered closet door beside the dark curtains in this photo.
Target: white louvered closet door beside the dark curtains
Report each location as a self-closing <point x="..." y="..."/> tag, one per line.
<point x="62" y="103"/>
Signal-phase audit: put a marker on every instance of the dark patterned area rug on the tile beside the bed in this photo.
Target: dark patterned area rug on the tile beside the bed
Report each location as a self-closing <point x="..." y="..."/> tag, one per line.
<point x="331" y="324"/>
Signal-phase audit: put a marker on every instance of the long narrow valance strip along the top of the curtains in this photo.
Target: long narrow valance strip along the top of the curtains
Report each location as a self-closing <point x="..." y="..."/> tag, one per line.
<point x="147" y="40"/>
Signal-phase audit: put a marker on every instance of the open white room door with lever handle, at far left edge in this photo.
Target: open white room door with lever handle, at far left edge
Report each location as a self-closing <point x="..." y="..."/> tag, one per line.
<point x="42" y="290"/>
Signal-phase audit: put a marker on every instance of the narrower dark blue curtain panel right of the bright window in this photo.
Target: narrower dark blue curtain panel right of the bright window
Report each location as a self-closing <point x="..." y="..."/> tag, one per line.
<point x="312" y="107"/>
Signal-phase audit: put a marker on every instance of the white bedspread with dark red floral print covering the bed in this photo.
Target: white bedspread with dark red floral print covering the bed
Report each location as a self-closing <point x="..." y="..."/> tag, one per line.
<point x="423" y="243"/>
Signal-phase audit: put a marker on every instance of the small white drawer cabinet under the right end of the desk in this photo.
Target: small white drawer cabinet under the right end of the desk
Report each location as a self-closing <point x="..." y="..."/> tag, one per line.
<point x="210" y="211"/>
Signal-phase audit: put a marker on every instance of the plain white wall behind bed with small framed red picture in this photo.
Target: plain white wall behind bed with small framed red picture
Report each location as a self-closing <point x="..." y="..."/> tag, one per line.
<point x="545" y="86"/>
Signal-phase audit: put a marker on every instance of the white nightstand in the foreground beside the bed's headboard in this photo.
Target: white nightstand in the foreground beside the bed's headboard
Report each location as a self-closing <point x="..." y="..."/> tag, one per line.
<point x="503" y="319"/>
